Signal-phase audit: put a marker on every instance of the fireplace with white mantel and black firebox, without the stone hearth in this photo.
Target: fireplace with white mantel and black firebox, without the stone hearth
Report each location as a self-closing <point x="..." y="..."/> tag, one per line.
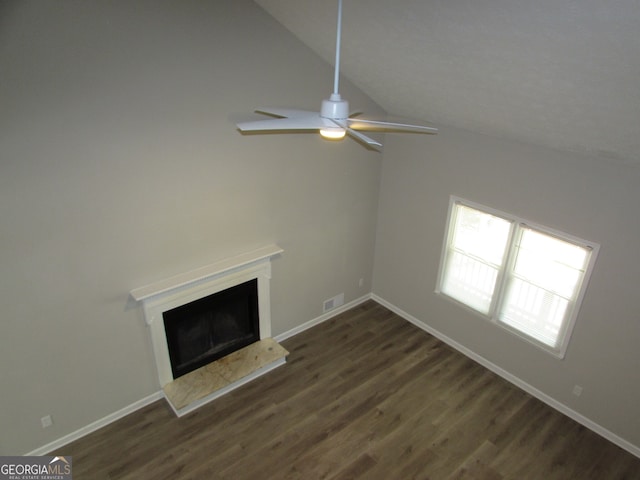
<point x="247" y="317"/>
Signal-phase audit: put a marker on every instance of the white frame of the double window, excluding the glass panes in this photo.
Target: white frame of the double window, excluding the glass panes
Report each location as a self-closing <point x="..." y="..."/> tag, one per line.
<point x="499" y="293"/>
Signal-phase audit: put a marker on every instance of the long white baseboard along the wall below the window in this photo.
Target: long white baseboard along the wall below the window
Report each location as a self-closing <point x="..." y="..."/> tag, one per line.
<point x="562" y="408"/>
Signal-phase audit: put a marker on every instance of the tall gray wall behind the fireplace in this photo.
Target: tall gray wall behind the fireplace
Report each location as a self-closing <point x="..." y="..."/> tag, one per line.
<point x="120" y="165"/>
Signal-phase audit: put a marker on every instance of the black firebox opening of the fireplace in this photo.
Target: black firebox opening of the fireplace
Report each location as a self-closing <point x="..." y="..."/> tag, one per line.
<point x="211" y="327"/>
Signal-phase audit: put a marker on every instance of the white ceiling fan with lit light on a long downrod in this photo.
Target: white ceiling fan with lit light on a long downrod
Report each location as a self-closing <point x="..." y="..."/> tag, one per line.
<point x="333" y="120"/>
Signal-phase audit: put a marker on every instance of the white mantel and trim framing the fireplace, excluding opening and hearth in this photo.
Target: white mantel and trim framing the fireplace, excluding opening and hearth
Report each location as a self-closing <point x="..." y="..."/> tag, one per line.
<point x="187" y="287"/>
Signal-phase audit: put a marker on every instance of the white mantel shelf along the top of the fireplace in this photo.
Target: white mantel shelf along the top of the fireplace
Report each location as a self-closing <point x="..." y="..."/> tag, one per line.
<point x="205" y="272"/>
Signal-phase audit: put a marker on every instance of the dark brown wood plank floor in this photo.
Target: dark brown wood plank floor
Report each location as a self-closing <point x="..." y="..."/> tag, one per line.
<point x="365" y="395"/>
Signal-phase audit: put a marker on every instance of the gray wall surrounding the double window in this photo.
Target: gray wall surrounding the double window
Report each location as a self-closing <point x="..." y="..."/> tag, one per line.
<point x="586" y="197"/>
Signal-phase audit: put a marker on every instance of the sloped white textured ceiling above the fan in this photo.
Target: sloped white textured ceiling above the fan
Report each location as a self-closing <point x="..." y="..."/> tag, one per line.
<point x="559" y="73"/>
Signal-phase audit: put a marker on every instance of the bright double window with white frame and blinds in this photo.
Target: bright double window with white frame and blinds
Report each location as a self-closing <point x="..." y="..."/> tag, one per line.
<point x="523" y="277"/>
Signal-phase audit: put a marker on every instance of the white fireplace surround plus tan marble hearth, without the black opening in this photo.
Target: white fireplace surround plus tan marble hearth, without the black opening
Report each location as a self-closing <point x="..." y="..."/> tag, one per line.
<point x="192" y="390"/>
